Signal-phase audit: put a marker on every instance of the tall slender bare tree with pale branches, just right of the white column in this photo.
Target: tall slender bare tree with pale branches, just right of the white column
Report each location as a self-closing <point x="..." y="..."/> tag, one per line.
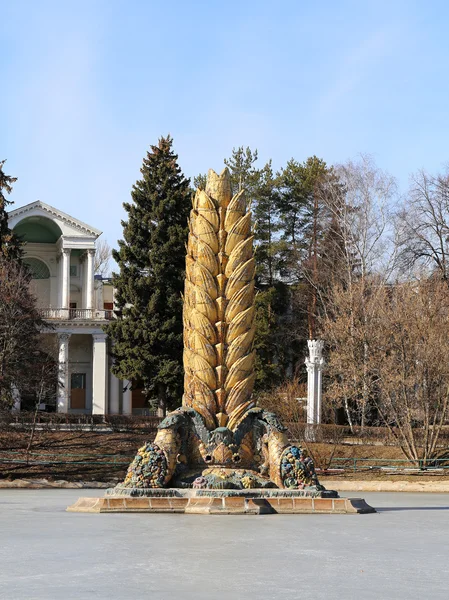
<point x="358" y="199"/>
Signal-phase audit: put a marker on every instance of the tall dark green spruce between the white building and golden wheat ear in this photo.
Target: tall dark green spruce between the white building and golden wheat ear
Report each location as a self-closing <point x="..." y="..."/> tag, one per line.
<point x="147" y="336"/>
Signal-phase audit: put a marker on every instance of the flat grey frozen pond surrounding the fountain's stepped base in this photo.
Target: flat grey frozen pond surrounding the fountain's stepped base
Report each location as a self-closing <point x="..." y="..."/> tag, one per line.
<point x="45" y="553"/>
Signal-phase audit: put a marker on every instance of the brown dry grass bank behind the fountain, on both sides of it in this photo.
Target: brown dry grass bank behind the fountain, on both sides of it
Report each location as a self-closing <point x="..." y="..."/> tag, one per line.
<point x="75" y="447"/>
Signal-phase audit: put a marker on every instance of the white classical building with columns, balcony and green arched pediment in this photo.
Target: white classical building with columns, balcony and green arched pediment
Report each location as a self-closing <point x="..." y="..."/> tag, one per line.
<point x="60" y="251"/>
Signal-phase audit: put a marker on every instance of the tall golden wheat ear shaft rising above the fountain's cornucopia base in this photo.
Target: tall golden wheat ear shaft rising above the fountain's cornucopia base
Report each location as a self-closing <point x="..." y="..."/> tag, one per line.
<point x="219" y="305"/>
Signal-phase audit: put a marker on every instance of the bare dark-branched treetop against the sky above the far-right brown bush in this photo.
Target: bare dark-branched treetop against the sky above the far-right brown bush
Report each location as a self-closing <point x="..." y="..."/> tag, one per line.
<point x="423" y="224"/>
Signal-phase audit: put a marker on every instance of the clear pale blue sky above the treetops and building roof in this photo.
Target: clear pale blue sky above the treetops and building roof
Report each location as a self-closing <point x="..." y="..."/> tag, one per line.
<point x="88" y="86"/>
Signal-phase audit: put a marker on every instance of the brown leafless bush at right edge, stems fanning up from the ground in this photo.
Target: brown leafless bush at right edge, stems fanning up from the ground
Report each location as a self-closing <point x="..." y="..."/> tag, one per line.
<point x="412" y="368"/>
